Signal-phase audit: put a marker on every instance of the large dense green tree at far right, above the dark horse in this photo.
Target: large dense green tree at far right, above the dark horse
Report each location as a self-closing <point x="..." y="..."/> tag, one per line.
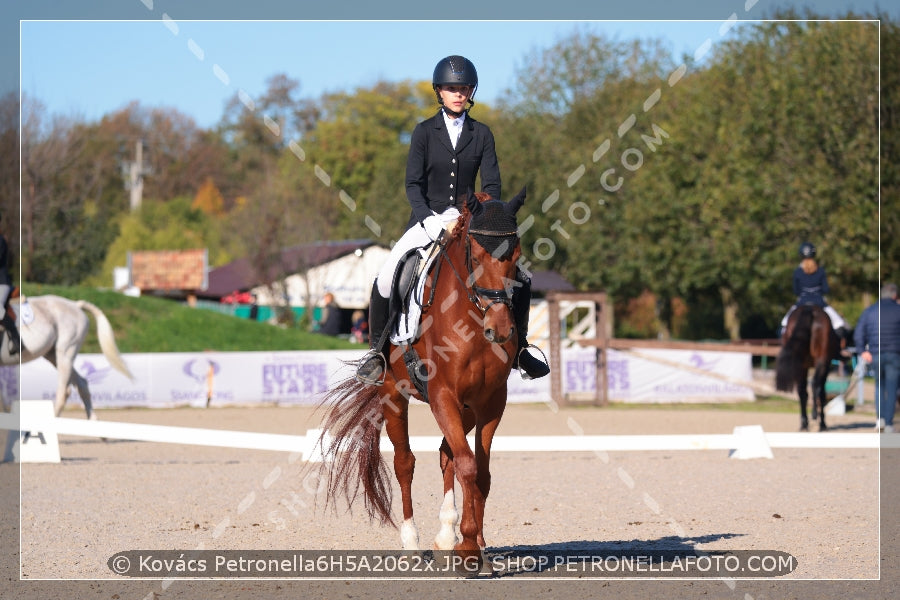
<point x="787" y="124"/>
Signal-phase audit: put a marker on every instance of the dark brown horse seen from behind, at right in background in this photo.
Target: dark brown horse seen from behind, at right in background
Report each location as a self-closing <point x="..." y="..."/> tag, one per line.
<point x="808" y="341"/>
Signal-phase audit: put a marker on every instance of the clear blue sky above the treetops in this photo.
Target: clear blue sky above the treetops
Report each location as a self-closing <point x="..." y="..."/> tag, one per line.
<point x="88" y="69"/>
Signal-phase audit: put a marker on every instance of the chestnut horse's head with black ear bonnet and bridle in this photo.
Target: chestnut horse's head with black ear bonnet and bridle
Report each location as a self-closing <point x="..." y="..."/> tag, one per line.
<point x="492" y="250"/>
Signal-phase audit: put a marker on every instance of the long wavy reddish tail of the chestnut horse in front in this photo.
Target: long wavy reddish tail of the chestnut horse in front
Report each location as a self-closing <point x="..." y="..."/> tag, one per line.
<point x="353" y="456"/>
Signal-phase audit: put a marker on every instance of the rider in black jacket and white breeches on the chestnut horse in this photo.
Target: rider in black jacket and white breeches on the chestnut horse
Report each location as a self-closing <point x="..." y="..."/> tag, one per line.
<point x="445" y="154"/>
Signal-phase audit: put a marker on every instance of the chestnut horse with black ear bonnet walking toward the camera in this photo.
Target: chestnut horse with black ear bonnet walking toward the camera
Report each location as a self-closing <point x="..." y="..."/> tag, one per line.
<point x="467" y="343"/>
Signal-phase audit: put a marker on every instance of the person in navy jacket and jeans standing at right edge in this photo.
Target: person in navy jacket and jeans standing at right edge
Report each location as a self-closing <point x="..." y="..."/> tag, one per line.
<point x="881" y="347"/>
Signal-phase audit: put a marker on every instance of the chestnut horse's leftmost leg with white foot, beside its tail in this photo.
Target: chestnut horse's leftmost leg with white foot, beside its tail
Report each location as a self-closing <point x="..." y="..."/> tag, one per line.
<point x="396" y="416"/>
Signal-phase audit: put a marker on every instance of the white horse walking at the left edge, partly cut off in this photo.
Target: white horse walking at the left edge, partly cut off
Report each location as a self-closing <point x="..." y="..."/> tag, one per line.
<point x="55" y="330"/>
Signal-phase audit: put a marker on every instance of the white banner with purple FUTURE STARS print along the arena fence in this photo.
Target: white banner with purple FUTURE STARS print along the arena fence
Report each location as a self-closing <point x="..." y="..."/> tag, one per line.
<point x="245" y="378"/>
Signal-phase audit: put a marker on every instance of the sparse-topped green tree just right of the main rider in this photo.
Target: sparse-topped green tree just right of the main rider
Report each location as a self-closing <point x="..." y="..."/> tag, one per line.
<point x="569" y="102"/>
